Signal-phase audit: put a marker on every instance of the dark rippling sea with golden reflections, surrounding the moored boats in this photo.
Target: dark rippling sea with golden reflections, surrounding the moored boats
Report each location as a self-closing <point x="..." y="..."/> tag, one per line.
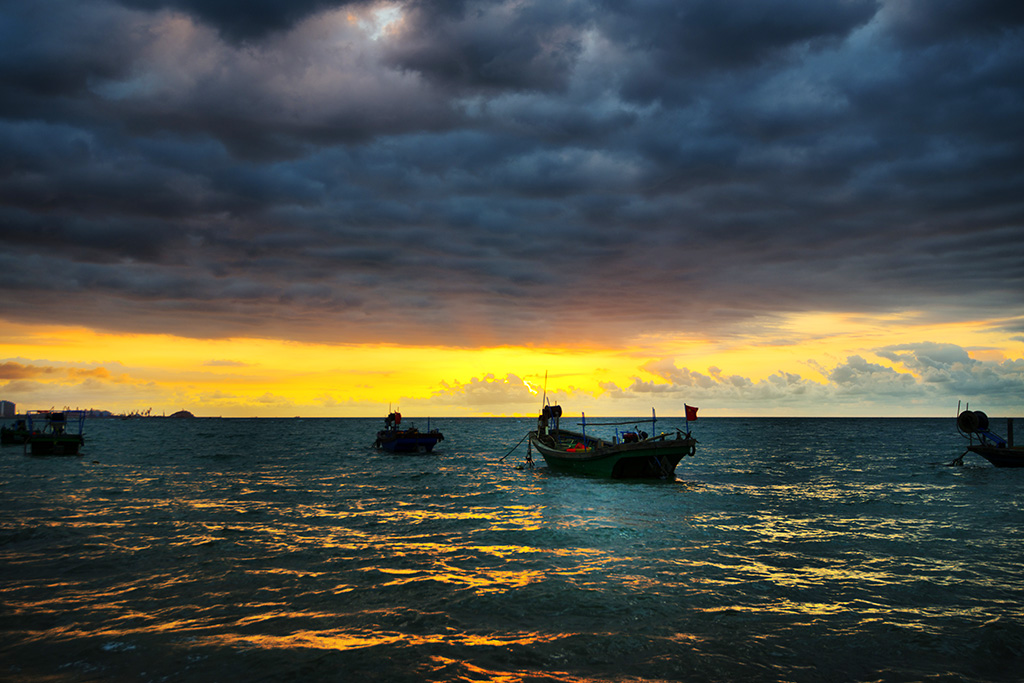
<point x="249" y="550"/>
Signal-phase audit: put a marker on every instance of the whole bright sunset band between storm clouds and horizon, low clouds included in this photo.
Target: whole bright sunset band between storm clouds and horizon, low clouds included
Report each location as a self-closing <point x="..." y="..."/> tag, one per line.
<point x="836" y="367"/>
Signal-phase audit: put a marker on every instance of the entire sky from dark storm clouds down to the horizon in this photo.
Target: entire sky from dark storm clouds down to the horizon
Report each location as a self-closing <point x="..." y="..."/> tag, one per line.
<point x="332" y="208"/>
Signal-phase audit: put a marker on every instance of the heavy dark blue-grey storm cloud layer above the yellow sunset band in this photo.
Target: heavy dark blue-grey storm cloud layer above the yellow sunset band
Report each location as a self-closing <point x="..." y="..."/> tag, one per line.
<point x="490" y="173"/>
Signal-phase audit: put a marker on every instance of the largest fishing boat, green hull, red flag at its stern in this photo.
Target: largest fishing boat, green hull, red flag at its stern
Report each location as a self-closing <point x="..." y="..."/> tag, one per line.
<point x="629" y="455"/>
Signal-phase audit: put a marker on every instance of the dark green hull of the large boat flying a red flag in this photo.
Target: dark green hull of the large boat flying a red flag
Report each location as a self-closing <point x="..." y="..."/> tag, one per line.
<point x="652" y="459"/>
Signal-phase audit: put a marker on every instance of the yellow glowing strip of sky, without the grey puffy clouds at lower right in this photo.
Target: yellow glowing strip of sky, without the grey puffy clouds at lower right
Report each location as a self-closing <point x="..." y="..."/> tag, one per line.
<point x="46" y="367"/>
